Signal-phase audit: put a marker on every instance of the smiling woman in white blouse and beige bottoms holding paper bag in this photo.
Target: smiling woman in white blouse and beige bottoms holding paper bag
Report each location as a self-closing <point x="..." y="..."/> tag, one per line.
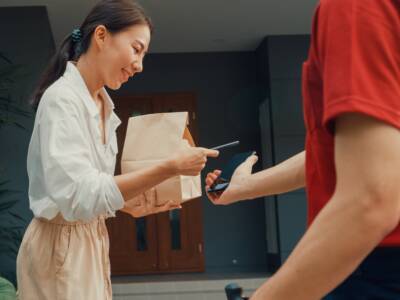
<point x="71" y="158"/>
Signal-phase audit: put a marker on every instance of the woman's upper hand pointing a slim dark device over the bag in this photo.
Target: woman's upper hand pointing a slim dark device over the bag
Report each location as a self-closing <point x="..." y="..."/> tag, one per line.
<point x="192" y="160"/>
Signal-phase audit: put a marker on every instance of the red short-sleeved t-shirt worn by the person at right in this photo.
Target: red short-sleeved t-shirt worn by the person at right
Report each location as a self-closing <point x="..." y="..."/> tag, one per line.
<point x="353" y="66"/>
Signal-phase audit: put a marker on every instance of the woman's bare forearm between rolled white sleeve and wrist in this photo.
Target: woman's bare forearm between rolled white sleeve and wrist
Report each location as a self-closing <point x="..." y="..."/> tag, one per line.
<point x="133" y="184"/>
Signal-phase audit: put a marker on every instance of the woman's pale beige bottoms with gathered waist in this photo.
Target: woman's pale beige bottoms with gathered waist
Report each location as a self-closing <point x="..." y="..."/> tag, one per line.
<point x="60" y="260"/>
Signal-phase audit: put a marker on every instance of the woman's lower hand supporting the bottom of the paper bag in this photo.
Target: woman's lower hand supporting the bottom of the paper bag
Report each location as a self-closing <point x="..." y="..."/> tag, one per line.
<point x="146" y="204"/>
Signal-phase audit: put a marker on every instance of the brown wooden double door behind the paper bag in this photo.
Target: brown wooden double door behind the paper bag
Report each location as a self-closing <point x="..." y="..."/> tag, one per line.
<point x="167" y="242"/>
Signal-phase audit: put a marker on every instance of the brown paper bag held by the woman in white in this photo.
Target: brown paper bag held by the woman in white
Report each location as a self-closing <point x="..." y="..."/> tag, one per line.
<point x="156" y="137"/>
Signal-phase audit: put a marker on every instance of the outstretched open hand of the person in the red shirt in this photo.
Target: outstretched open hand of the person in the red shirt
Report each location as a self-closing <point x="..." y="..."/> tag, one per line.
<point x="236" y="190"/>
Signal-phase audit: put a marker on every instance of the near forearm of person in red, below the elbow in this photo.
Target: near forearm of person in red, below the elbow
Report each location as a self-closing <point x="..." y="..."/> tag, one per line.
<point x="336" y="243"/>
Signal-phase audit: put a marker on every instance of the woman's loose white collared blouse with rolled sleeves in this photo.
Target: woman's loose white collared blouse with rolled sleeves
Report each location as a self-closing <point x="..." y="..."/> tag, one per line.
<point x="70" y="169"/>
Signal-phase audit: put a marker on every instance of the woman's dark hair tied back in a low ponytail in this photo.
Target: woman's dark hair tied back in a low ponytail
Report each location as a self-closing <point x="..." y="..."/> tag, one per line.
<point x="115" y="15"/>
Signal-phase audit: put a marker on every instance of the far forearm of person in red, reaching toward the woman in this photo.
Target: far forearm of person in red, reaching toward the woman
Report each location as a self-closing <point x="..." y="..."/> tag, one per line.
<point x="285" y="177"/>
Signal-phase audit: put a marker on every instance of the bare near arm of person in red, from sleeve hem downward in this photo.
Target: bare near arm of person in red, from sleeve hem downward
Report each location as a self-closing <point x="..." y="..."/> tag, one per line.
<point x="363" y="210"/>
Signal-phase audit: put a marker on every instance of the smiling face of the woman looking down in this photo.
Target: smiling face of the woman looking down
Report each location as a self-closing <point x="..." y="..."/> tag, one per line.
<point x="122" y="54"/>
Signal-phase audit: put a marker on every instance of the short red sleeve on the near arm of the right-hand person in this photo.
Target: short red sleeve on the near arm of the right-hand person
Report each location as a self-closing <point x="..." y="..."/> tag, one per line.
<point x="358" y="53"/>
